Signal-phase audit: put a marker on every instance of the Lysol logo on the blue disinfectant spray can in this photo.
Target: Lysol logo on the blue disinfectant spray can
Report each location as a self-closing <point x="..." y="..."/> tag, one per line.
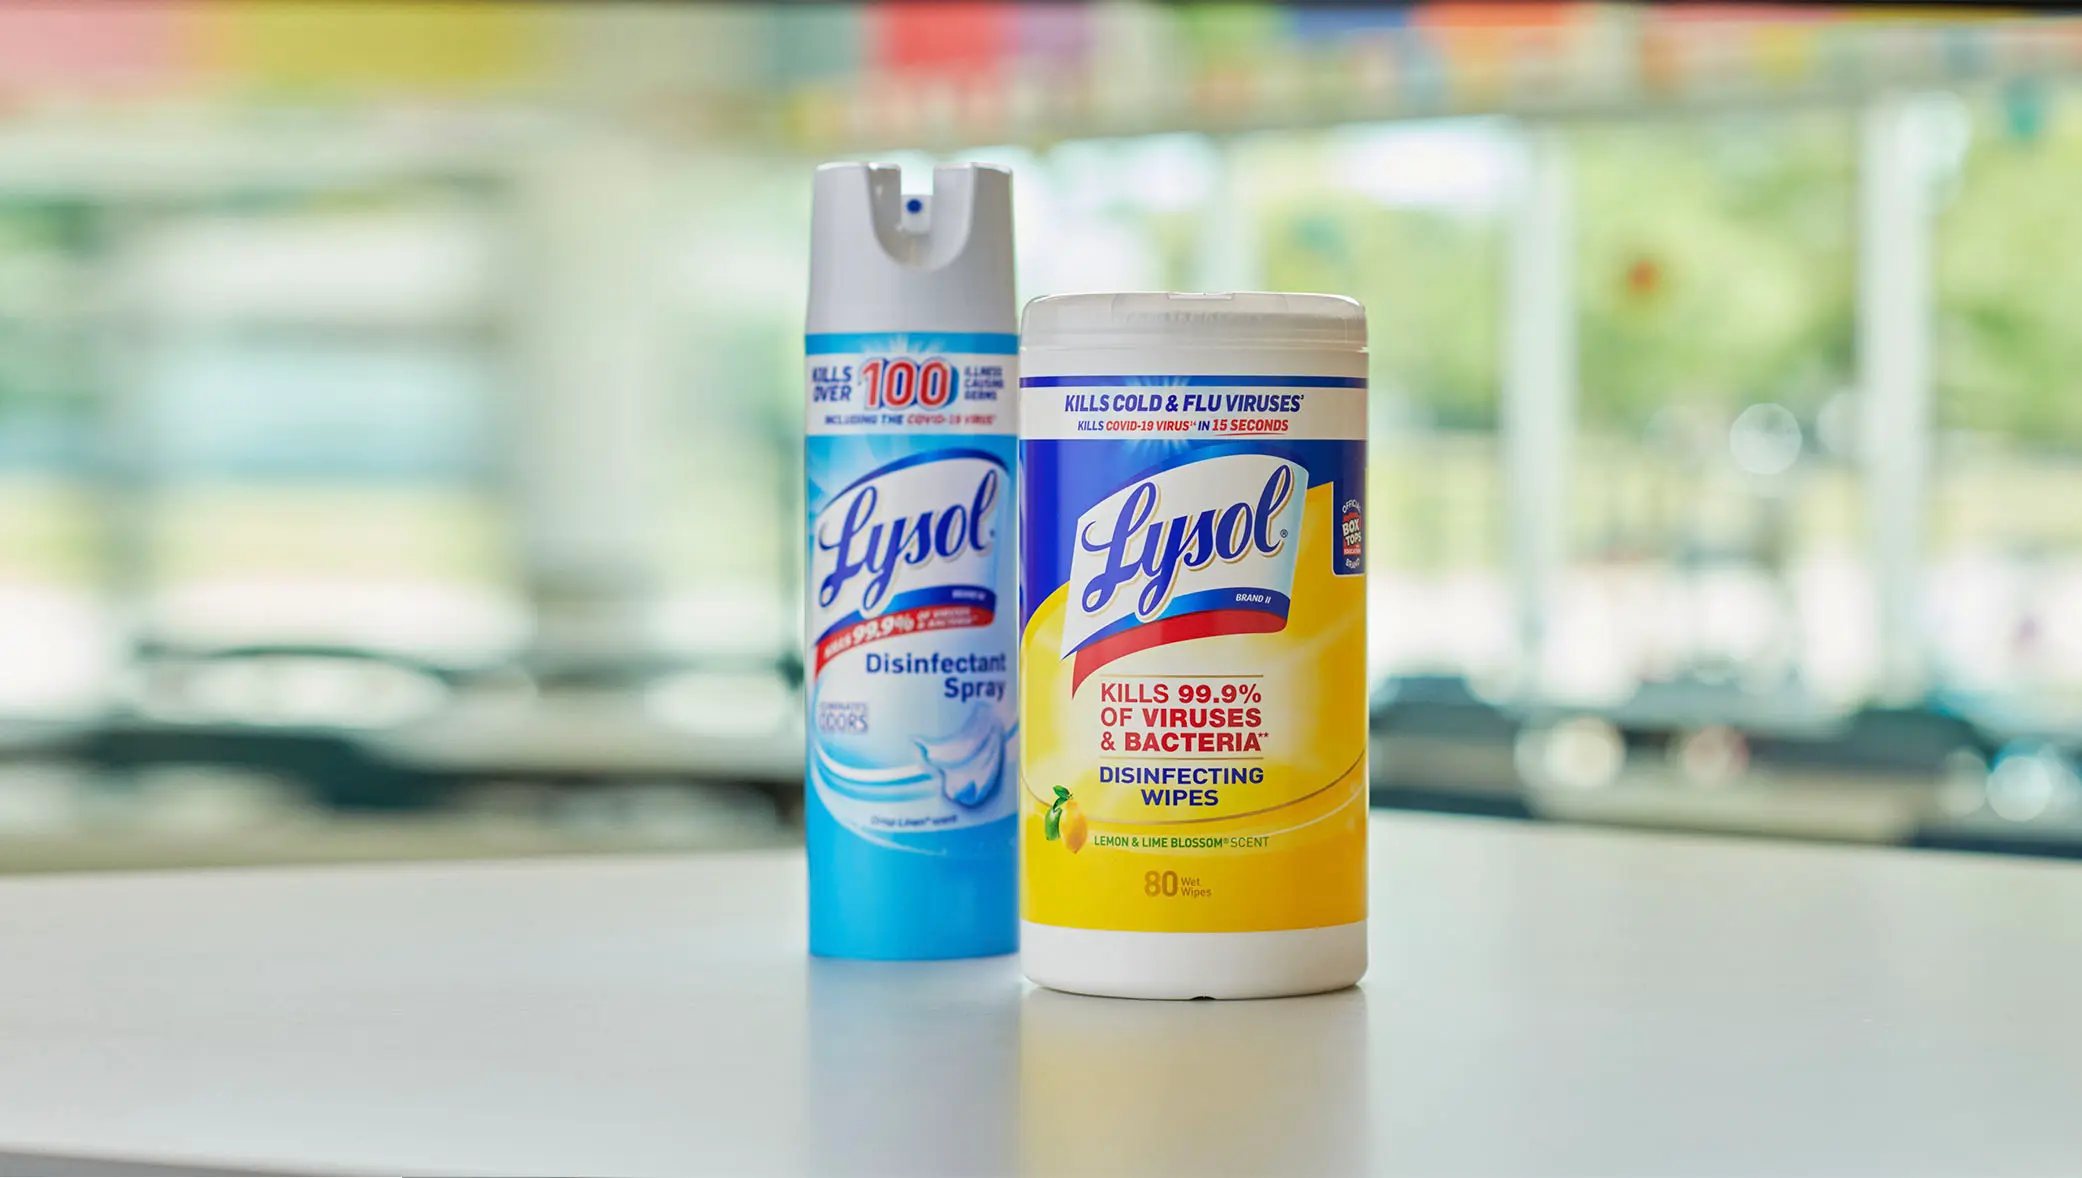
<point x="907" y="548"/>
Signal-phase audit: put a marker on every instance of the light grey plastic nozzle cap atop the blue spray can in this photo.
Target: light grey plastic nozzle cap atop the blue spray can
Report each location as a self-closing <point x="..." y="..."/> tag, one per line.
<point x="884" y="261"/>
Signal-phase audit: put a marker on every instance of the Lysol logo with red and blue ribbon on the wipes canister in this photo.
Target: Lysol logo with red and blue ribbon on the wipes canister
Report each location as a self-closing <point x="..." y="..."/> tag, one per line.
<point x="1204" y="548"/>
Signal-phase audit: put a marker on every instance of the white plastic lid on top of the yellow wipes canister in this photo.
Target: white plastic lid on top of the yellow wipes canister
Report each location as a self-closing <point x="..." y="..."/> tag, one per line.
<point x="1246" y="319"/>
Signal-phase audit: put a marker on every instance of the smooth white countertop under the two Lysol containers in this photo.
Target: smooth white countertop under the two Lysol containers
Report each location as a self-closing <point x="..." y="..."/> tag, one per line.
<point x="1544" y="1002"/>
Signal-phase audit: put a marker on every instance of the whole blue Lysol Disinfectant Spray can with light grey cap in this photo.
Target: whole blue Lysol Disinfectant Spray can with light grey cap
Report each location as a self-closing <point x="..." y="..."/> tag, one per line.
<point x="913" y="725"/>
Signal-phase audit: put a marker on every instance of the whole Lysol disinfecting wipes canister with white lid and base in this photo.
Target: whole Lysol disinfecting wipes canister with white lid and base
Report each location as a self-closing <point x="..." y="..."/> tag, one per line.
<point x="1194" y="644"/>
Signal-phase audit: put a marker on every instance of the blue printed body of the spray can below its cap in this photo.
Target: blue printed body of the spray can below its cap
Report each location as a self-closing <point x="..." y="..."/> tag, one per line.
<point x="911" y="642"/>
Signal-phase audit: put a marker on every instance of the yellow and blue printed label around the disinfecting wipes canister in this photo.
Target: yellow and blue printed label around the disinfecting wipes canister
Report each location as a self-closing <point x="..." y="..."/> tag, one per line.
<point x="1194" y="652"/>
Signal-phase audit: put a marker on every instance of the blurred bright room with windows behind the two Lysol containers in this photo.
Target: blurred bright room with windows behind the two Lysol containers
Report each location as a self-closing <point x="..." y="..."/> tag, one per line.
<point x="401" y="403"/>
